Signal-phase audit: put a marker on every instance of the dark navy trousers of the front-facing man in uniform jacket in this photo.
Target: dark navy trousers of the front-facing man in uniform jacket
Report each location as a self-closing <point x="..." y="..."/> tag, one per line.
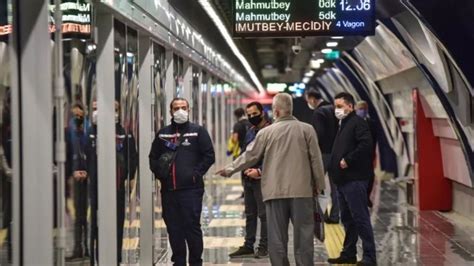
<point x="182" y="215"/>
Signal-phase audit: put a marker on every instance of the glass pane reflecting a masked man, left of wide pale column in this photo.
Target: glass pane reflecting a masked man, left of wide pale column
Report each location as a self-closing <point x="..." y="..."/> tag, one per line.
<point x="81" y="166"/>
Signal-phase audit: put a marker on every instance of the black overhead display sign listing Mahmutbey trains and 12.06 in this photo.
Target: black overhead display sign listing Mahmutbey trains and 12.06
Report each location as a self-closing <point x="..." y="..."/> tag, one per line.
<point x="286" y="18"/>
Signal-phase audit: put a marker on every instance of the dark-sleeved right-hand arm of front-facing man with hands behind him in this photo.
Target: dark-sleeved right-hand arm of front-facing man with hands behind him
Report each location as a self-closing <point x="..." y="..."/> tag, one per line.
<point x="206" y="151"/>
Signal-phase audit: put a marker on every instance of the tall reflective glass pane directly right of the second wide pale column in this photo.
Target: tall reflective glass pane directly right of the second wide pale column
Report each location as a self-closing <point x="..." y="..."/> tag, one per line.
<point x="126" y="127"/>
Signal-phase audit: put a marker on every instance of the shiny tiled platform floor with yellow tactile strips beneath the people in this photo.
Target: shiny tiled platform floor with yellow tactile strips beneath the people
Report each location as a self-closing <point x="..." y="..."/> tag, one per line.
<point x="404" y="236"/>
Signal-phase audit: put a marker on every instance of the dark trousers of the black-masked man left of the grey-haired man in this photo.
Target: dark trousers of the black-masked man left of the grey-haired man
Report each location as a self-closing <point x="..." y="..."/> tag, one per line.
<point x="254" y="207"/>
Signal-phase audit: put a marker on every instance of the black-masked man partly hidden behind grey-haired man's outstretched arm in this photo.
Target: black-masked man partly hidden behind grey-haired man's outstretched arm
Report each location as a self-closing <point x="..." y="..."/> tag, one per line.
<point x="253" y="199"/>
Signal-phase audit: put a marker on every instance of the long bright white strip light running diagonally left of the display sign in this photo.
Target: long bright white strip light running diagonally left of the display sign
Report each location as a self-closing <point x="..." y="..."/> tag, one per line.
<point x="211" y="12"/>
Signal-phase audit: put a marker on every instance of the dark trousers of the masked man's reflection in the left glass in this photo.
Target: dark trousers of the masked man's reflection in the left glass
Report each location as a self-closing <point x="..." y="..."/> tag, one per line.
<point x="80" y="225"/>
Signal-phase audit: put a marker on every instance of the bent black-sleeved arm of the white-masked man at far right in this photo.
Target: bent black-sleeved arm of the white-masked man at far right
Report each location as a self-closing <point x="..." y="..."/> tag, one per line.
<point x="364" y="144"/>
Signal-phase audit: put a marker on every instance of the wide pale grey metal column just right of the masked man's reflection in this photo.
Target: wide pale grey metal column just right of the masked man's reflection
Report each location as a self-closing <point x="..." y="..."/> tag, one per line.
<point x="107" y="194"/>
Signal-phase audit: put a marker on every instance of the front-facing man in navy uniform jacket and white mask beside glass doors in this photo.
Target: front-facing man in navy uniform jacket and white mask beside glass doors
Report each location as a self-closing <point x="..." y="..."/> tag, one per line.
<point x="183" y="188"/>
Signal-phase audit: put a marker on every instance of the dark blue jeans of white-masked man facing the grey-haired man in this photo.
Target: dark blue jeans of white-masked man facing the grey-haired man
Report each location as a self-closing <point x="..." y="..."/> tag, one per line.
<point x="356" y="220"/>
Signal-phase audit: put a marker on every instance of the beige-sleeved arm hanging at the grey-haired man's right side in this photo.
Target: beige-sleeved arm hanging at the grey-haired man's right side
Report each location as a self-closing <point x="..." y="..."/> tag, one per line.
<point x="315" y="157"/>
